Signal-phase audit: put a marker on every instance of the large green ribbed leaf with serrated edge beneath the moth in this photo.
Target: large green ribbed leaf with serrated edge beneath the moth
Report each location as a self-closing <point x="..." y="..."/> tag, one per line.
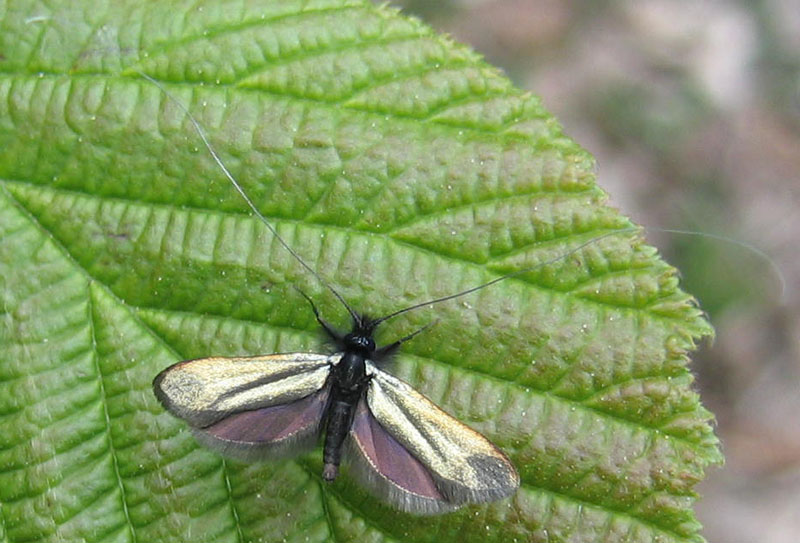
<point x="401" y="167"/>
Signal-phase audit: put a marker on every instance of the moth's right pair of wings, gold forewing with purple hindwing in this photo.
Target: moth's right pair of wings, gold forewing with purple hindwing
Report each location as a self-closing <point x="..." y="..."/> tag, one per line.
<point x="464" y="466"/>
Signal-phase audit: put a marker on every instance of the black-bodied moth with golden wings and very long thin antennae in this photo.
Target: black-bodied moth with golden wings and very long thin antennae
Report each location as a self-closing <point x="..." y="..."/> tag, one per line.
<point x="399" y="444"/>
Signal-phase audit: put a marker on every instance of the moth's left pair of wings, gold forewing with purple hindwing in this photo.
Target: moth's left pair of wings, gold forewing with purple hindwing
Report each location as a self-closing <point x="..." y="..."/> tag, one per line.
<point x="250" y="407"/>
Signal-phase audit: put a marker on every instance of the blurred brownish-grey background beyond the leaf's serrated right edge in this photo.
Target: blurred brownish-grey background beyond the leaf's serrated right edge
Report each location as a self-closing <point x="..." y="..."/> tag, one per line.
<point x="692" y="110"/>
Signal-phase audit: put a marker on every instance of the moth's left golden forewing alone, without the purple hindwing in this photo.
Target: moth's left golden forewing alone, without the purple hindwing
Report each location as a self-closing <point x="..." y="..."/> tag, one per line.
<point x="206" y="390"/>
